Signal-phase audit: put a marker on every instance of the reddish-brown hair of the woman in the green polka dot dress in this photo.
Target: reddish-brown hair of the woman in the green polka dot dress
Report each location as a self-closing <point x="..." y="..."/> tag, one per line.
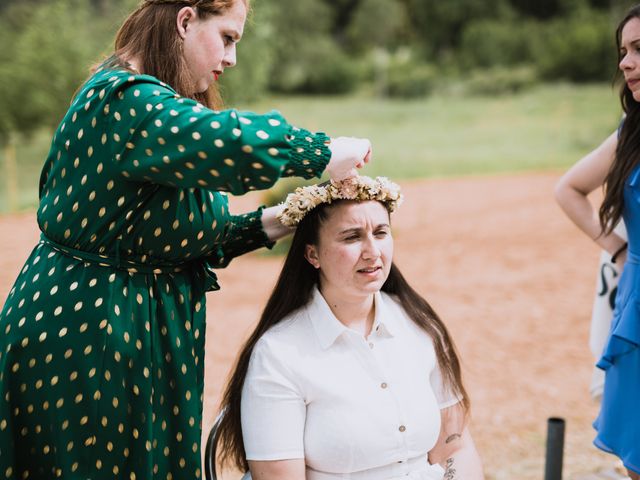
<point x="150" y="34"/>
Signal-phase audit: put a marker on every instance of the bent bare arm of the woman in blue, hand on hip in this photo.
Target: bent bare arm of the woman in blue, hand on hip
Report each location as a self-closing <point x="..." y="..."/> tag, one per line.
<point x="582" y="179"/>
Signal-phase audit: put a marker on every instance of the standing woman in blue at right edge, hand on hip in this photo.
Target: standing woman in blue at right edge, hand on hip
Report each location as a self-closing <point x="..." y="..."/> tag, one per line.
<point x="616" y="165"/>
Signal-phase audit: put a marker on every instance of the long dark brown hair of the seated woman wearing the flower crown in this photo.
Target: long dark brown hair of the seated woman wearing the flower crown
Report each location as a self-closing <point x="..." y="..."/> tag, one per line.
<point x="293" y="290"/>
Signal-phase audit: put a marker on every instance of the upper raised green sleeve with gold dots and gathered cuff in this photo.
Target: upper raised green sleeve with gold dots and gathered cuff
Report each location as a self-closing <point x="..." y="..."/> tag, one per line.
<point x="162" y="138"/>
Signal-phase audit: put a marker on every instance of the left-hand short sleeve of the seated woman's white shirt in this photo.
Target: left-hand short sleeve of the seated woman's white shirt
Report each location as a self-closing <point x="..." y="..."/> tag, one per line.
<point x="273" y="410"/>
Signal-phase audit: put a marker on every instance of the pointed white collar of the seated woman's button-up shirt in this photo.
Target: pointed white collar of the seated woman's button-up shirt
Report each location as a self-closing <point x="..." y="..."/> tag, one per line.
<point x="328" y="328"/>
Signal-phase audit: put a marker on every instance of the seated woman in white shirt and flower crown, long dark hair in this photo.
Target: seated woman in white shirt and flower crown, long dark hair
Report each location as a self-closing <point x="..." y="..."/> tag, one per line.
<point x="349" y="373"/>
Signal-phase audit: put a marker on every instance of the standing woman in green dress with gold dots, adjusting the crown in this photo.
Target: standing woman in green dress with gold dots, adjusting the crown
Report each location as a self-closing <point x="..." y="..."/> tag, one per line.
<point x="102" y="335"/>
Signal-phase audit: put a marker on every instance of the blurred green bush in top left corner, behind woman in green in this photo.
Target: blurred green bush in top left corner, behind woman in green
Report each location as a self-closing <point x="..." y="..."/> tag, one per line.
<point x="53" y="45"/>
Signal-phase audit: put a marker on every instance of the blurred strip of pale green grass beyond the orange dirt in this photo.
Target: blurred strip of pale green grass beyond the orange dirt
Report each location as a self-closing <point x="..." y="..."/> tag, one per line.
<point x="547" y="127"/>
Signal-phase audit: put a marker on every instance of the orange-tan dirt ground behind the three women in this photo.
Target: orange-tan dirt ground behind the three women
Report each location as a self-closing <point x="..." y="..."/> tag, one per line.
<point x="510" y="275"/>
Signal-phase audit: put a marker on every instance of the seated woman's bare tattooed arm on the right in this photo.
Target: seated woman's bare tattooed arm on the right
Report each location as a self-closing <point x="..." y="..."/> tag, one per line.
<point x="455" y="450"/>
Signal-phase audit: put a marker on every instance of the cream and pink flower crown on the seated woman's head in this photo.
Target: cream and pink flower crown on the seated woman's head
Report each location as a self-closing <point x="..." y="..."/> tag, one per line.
<point x="359" y="188"/>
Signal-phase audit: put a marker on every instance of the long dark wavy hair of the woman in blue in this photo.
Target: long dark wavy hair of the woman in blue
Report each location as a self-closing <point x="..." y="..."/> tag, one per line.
<point x="628" y="149"/>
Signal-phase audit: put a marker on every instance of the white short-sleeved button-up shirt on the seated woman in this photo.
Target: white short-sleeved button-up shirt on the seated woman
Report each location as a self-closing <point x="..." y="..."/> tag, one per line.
<point x="352" y="407"/>
